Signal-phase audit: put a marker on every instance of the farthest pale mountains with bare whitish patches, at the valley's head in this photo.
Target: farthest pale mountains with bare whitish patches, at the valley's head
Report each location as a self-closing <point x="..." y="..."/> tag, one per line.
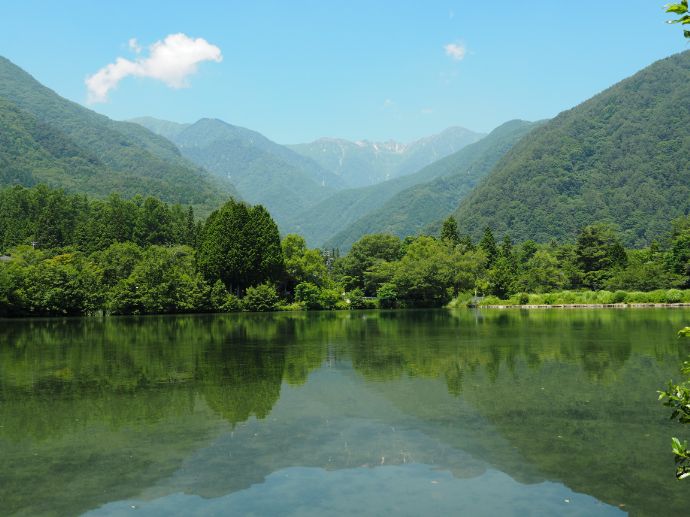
<point x="365" y="163"/>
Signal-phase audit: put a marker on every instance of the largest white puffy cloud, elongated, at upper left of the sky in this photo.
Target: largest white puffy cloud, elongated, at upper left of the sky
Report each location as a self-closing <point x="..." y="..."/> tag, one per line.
<point x="172" y="61"/>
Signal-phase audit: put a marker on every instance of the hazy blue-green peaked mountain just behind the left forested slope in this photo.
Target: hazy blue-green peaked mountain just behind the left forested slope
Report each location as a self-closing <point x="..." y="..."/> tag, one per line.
<point x="263" y="171"/>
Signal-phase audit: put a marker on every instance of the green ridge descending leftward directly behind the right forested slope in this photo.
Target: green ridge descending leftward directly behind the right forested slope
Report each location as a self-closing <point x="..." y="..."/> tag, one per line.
<point x="412" y="210"/>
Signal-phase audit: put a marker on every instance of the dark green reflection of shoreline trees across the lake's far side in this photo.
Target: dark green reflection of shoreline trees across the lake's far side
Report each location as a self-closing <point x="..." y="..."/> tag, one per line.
<point x="237" y="363"/>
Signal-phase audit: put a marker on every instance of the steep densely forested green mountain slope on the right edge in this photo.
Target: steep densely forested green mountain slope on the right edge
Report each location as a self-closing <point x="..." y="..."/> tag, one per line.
<point x="622" y="156"/>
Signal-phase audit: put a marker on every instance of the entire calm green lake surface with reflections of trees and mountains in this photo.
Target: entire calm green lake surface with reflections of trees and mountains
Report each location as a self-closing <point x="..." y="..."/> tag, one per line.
<point x="373" y="413"/>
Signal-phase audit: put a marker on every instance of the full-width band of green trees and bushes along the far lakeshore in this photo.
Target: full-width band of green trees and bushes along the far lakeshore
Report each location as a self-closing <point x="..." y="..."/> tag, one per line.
<point x="69" y="255"/>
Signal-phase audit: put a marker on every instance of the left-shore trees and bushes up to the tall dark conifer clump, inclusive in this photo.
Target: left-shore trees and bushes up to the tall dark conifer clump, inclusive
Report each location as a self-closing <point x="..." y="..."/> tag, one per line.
<point x="70" y="255"/>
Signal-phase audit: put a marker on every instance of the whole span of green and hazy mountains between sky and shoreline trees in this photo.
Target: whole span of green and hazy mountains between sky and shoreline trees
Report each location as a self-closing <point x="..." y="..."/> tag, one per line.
<point x="621" y="157"/>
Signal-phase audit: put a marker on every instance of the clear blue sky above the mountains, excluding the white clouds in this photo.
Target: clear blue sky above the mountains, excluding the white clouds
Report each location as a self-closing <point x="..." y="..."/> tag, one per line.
<point x="299" y="70"/>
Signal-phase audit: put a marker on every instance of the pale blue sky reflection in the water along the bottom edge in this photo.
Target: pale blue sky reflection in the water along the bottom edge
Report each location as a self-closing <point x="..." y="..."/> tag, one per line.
<point x="385" y="490"/>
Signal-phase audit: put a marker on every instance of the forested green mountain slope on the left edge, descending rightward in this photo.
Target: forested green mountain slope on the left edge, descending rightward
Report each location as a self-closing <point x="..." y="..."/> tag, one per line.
<point x="46" y="138"/>
